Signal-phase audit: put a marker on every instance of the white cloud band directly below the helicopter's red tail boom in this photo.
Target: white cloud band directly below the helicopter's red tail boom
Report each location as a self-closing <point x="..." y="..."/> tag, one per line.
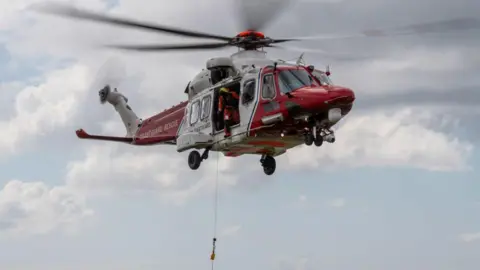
<point x="113" y="169"/>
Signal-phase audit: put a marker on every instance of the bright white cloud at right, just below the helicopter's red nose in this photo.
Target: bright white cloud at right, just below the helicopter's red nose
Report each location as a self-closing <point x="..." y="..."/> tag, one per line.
<point x="378" y="138"/>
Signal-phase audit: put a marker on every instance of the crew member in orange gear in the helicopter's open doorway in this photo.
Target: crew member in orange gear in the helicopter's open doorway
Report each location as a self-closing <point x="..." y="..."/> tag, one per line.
<point x="228" y="103"/>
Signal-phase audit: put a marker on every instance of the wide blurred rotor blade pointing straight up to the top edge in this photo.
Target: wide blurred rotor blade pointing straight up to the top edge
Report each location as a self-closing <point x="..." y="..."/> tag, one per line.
<point x="255" y="15"/>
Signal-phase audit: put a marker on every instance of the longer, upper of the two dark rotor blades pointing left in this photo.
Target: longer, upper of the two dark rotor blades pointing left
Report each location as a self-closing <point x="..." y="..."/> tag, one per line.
<point x="66" y="11"/>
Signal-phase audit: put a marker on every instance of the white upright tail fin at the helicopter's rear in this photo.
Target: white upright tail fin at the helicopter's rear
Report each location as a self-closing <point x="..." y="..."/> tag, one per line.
<point x="119" y="102"/>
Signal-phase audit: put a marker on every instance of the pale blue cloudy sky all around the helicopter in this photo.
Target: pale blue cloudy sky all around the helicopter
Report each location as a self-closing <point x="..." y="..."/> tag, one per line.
<point x="397" y="190"/>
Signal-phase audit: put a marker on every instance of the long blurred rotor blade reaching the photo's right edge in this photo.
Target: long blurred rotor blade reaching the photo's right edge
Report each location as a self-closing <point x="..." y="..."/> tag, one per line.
<point x="461" y="24"/>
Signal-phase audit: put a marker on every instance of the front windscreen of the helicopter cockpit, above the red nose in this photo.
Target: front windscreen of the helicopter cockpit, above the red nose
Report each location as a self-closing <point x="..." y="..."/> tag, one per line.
<point x="291" y="79"/>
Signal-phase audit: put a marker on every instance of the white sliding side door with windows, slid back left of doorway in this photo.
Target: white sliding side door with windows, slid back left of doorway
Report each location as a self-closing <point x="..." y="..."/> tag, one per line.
<point x="198" y="128"/>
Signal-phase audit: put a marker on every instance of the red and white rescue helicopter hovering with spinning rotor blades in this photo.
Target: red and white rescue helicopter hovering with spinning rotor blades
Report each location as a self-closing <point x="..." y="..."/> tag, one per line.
<point x="282" y="105"/>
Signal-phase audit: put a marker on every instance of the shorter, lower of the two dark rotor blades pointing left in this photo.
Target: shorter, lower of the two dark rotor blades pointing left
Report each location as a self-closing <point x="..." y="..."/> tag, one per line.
<point x="146" y="48"/>
